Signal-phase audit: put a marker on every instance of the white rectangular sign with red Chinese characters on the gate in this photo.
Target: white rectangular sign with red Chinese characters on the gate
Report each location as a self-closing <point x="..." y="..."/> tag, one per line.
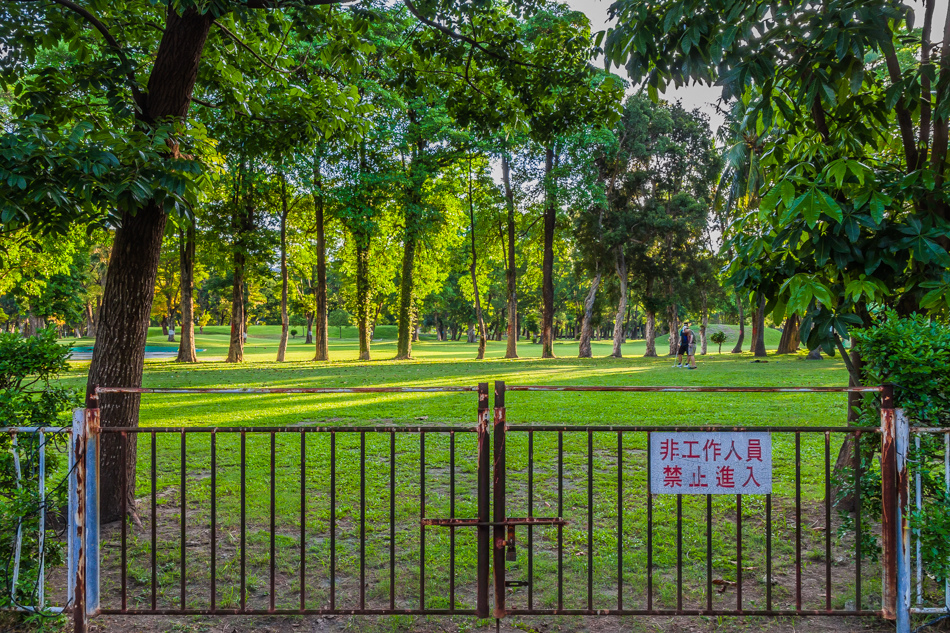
<point x="723" y="463"/>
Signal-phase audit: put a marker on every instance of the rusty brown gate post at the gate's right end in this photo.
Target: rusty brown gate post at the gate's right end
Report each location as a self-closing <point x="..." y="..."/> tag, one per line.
<point x="889" y="530"/>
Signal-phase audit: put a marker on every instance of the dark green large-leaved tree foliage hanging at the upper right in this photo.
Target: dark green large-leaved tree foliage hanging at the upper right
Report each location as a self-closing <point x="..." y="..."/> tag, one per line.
<point x="838" y="193"/>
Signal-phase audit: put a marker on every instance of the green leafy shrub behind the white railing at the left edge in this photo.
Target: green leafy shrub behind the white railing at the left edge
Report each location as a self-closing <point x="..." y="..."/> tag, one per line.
<point x="27" y="367"/>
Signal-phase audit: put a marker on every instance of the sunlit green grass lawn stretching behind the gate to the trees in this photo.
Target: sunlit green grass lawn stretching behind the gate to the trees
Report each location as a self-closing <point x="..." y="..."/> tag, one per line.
<point x="590" y="470"/>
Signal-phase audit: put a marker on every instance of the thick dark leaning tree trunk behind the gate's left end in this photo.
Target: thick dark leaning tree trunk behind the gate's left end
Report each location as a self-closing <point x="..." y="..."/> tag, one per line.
<point x="119" y="352"/>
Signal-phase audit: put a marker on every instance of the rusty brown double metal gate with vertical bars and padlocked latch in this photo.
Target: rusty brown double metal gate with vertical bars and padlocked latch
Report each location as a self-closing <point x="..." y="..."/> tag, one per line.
<point x="519" y="518"/>
